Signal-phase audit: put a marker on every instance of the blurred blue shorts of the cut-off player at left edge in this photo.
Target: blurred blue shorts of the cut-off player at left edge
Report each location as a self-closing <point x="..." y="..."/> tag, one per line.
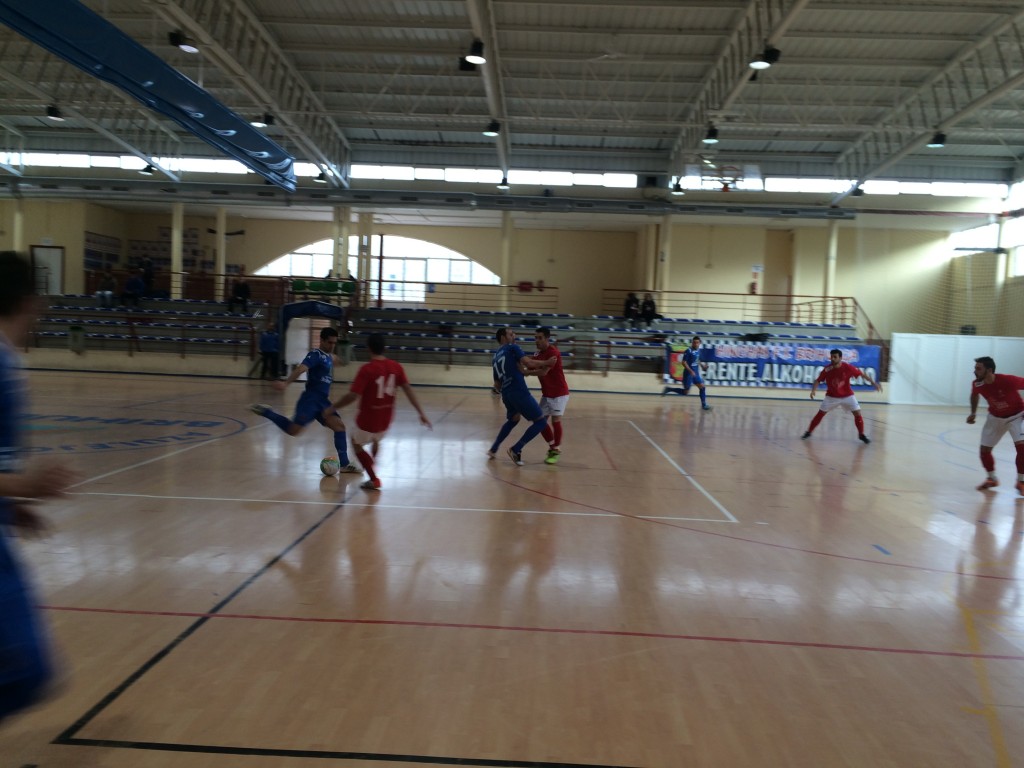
<point x="25" y="669"/>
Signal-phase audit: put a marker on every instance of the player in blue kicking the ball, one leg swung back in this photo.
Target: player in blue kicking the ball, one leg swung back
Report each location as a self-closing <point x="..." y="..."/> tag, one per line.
<point x="316" y="400"/>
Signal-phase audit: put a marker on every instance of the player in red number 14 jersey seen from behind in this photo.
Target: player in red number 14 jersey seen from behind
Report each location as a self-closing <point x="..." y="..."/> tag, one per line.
<point x="375" y="387"/>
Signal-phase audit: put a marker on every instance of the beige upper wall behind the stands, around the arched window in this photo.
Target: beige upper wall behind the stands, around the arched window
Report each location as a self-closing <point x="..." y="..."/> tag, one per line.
<point x="900" y="277"/>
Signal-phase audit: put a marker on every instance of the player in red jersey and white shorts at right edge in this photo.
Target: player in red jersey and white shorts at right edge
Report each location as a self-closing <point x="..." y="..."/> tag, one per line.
<point x="1006" y="411"/>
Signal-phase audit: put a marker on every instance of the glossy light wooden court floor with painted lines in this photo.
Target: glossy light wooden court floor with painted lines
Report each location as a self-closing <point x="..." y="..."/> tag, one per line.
<point x="682" y="589"/>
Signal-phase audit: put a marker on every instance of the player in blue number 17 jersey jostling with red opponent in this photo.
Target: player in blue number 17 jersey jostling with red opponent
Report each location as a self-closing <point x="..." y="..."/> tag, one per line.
<point x="510" y="366"/>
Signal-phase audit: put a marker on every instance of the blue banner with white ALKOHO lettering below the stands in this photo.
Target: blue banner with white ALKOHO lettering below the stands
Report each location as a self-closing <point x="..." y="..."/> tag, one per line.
<point x="772" y="364"/>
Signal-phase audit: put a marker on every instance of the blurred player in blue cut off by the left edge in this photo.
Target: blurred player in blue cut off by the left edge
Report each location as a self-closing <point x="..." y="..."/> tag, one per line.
<point x="25" y="661"/>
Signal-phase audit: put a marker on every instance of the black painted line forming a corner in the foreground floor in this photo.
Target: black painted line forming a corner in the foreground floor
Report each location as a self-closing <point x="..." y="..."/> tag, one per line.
<point x="68" y="738"/>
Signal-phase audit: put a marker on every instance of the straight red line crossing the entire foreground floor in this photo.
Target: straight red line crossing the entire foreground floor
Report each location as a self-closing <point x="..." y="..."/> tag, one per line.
<point x="549" y="630"/>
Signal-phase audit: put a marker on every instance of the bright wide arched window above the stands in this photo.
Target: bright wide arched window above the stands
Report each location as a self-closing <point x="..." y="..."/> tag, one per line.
<point x="409" y="267"/>
